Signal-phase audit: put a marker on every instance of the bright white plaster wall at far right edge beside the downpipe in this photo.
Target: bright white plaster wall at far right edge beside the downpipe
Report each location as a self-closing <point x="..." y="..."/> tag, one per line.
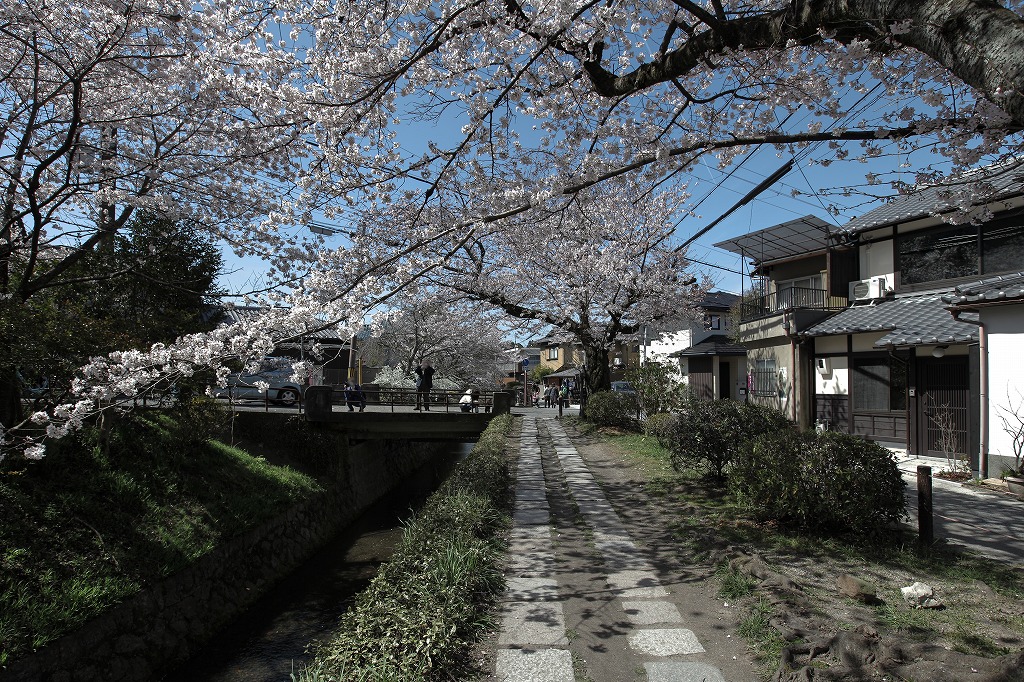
<point x="1006" y="371"/>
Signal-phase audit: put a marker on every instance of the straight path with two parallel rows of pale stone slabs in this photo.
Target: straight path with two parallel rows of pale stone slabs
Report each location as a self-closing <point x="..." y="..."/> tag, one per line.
<point x="612" y="601"/>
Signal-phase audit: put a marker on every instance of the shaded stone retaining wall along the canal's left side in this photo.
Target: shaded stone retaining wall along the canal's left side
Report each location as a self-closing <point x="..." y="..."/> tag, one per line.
<point x="145" y="636"/>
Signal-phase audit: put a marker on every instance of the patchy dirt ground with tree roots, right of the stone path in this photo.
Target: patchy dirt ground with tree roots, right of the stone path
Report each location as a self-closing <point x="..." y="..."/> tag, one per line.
<point x="818" y="632"/>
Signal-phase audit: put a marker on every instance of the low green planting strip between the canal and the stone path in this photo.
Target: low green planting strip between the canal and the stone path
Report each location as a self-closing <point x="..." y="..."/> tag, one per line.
<point x="420" y="614"/>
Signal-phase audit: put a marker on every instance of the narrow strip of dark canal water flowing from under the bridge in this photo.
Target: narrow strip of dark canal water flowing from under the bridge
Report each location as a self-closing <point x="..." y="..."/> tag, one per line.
<point x="268" y="643"/>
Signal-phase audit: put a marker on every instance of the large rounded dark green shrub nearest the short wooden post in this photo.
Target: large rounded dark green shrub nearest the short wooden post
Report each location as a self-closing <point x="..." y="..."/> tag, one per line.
<point x="824" y="483"/>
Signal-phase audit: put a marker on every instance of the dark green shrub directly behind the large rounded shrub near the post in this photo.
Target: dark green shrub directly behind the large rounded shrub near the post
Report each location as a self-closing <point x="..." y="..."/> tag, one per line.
<point x="707" y="435"/>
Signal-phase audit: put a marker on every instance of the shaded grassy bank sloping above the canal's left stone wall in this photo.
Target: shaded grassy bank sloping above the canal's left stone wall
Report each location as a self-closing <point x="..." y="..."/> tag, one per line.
<point x="104" y="516"/>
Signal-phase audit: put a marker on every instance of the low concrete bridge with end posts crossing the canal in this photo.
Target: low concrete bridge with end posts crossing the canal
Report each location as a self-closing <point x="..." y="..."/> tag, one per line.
<point x="433" y="425"/>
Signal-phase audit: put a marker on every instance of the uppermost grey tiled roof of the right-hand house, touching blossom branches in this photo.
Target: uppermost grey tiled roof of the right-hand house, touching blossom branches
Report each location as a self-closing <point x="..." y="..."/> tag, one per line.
<point x="935" y="200"/>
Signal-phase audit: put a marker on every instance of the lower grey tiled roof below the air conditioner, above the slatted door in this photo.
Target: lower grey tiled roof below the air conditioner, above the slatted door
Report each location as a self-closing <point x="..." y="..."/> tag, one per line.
<point x="911" y="321"/>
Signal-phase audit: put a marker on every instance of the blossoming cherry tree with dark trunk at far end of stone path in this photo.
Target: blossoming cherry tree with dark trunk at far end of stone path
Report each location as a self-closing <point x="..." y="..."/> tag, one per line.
<point x="596" y="268"/>
